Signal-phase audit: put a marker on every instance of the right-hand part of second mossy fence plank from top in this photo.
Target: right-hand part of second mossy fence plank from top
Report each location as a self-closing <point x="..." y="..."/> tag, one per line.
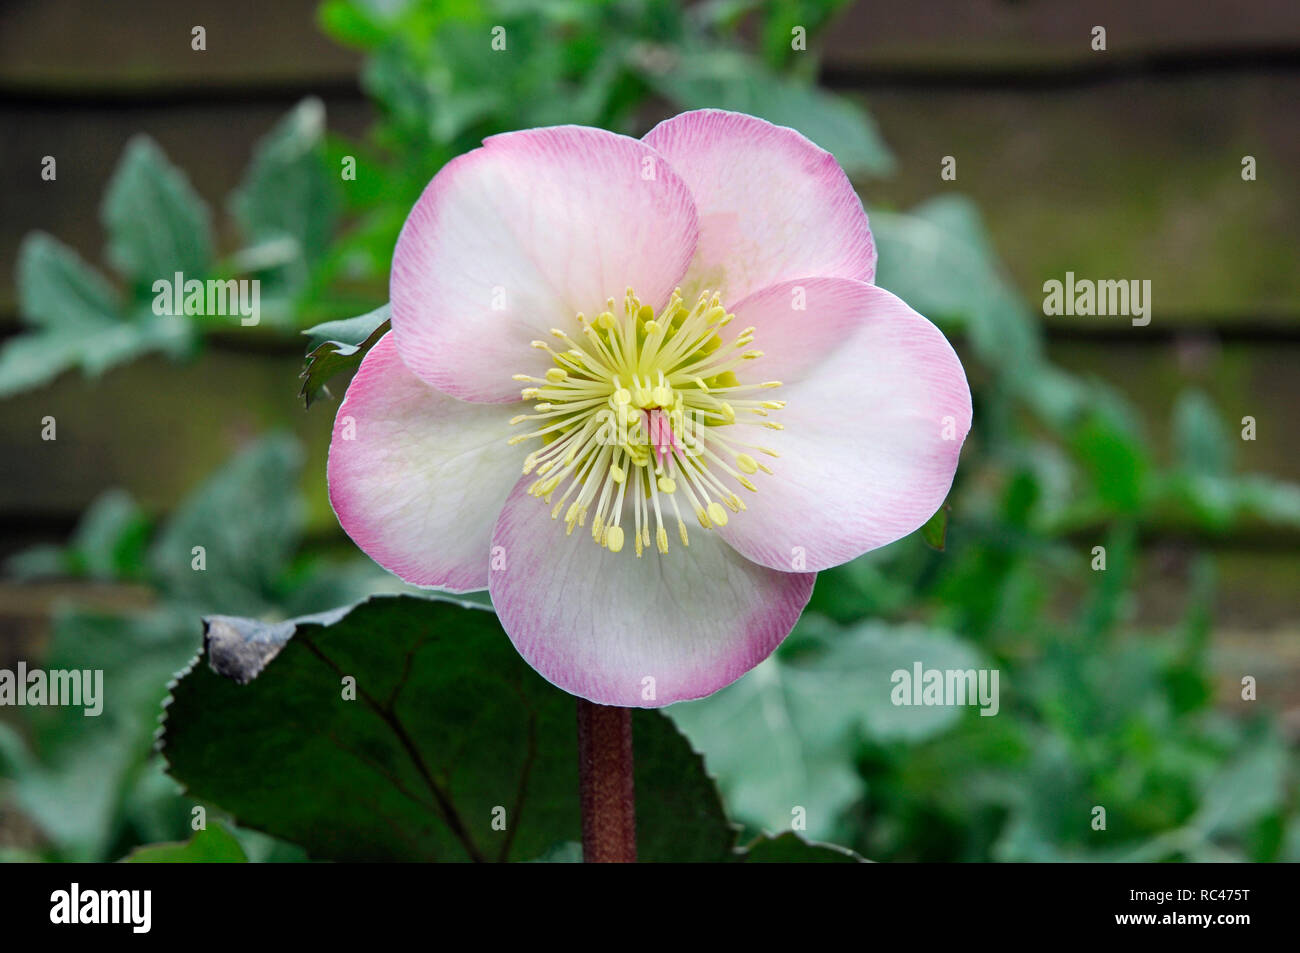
<point x="1133" y="180"/>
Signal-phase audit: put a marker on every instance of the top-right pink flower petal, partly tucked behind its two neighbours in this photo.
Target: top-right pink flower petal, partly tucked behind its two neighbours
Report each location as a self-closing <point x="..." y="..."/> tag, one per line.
<point x="773" y="206"/>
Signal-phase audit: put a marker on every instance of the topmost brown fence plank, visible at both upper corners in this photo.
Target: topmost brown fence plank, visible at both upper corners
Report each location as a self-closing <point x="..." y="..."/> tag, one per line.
<point x="73" y="47"/>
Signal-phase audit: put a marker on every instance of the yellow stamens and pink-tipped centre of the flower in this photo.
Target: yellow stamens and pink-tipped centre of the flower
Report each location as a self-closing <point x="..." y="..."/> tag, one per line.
<point x="647" y="409"/>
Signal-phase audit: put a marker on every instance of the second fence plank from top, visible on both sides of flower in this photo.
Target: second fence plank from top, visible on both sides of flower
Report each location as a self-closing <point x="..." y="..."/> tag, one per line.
<point x="1125" y="181"/>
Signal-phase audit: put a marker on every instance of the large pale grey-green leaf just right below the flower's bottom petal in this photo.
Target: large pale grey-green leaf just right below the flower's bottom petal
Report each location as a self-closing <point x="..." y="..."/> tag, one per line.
<point x="785" y="735"/>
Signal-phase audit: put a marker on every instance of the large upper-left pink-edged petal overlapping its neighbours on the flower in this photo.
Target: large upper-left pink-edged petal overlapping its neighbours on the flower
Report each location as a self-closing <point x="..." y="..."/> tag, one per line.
<point x="518" y="237"/>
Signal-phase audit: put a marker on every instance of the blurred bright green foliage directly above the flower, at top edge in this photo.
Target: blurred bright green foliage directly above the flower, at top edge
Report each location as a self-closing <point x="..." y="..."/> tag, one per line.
<point x="443" y="86"/>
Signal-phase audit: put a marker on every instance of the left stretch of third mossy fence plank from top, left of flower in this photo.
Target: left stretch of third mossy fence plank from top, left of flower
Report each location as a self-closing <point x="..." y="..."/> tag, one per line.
<point x="157" y="428"/>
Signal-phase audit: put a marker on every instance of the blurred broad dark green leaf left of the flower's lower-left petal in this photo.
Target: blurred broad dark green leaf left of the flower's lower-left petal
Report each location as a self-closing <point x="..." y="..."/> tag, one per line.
<point x="248" y="519"/>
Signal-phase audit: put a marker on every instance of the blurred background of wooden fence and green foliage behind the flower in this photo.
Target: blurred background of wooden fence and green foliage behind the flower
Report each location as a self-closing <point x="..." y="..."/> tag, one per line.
<point x="1121" y="687"/>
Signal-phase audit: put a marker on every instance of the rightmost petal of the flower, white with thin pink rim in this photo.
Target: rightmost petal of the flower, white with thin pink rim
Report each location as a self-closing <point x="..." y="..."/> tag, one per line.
<point x="872" y="432"/>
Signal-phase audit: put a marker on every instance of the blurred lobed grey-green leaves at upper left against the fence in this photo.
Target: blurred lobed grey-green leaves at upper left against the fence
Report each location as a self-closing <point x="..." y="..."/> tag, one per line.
<point x="158" y="228"/>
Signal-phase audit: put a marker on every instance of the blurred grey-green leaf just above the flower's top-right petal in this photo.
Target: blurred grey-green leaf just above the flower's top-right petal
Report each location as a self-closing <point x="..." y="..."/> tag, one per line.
<point x="729" y="80"/>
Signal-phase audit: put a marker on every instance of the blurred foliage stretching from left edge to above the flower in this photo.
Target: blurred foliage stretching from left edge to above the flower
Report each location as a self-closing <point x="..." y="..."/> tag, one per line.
<point x="318" y="218"/>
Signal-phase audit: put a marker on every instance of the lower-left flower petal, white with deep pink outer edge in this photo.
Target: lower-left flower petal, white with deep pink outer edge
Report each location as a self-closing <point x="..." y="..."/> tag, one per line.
<point x="418" y="478"/>
